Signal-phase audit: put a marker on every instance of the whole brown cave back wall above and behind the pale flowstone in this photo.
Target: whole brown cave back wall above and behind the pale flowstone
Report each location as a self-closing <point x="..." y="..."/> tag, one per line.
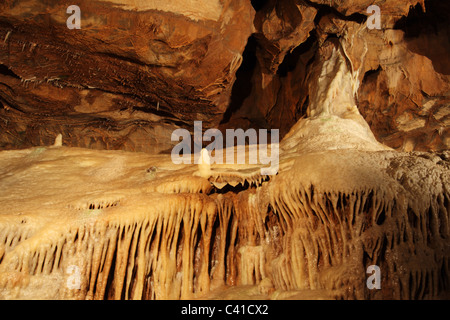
<point x="138" y="70"/>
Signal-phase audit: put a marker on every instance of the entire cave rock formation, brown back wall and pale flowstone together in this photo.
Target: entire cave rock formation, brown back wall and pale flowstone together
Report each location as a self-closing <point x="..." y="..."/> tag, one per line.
<point x="363" y="173"/>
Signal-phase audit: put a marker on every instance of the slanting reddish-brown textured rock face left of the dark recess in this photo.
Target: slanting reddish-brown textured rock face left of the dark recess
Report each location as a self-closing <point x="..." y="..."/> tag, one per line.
<point x="126" y="79"/>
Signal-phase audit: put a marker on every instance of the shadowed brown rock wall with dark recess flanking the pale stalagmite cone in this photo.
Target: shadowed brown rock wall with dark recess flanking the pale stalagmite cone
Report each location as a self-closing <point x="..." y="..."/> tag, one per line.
<point x="404" y="81"/>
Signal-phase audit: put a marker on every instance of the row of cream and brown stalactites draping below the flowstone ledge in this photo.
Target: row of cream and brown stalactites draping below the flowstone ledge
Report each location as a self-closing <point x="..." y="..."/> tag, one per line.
<point x="300" y="238"/>
